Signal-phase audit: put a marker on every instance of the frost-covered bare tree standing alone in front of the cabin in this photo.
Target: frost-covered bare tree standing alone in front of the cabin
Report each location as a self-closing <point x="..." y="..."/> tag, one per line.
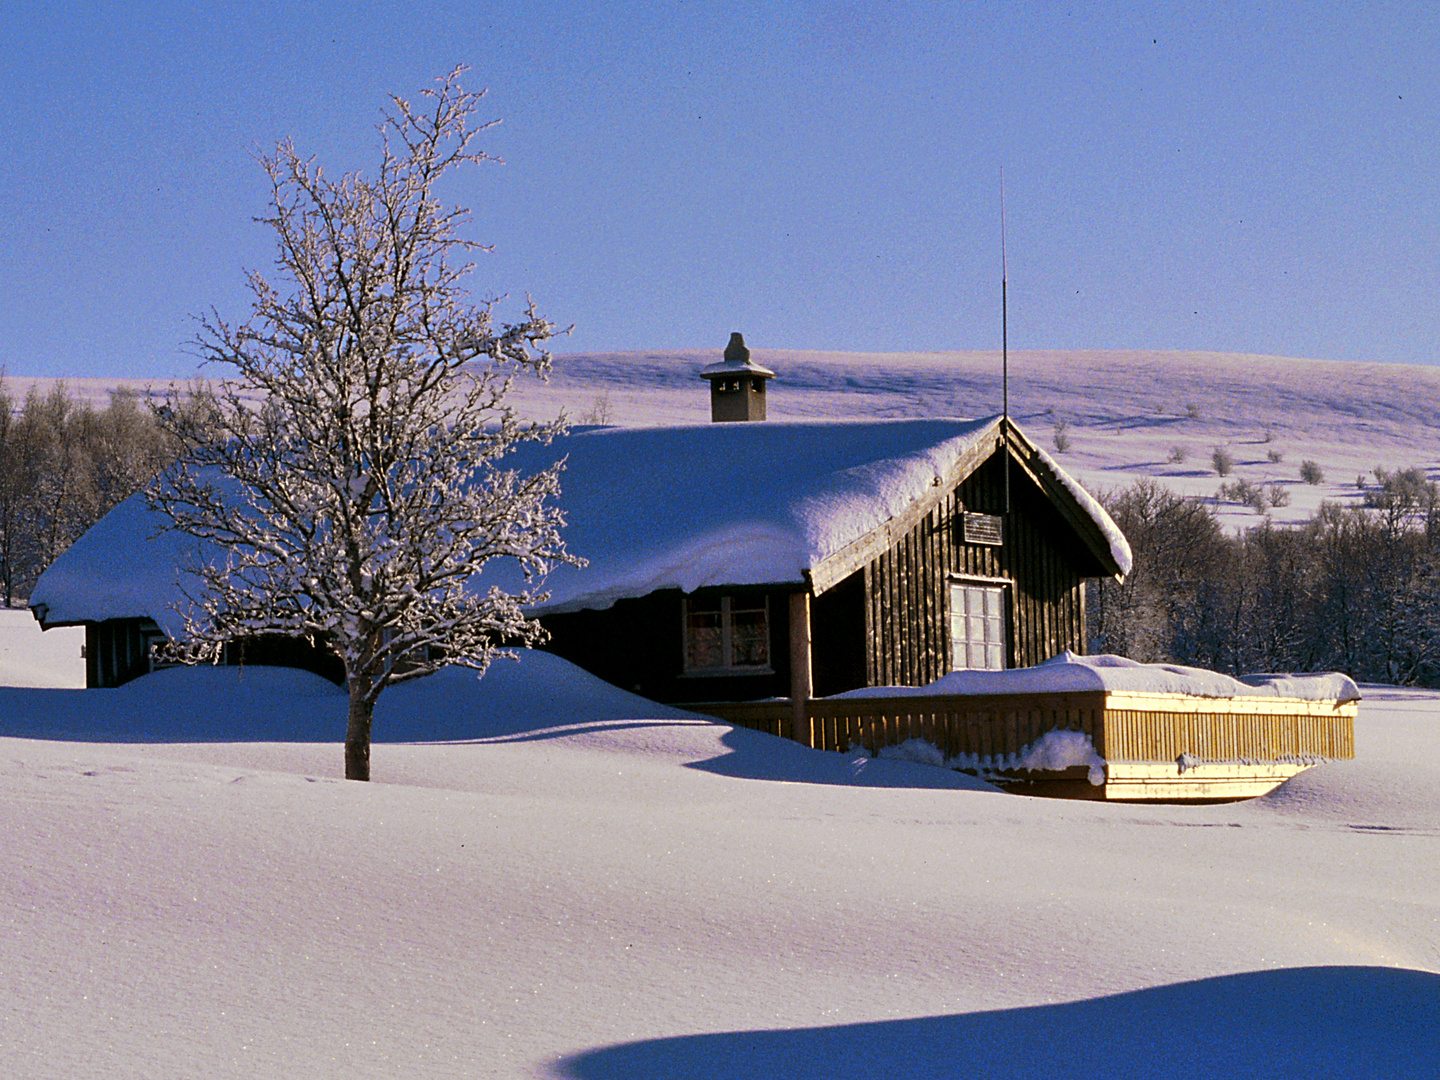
<point x="359" y="502"/>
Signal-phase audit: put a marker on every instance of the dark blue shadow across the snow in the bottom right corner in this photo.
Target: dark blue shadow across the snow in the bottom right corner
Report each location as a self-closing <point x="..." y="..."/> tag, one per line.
<point x="1292" y="1023"/>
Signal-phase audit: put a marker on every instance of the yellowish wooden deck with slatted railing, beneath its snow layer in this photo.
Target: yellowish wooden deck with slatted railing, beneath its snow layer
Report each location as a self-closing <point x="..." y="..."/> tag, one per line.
<point x="1156" y="747"/>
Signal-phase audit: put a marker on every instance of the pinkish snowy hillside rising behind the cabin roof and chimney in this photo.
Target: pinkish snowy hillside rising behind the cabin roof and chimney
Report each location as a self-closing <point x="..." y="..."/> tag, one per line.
<point x="1125" y="414"/>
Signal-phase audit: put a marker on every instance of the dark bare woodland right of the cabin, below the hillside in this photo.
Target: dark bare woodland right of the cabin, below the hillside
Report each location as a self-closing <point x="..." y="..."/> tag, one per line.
<point x="1354" y="590"/>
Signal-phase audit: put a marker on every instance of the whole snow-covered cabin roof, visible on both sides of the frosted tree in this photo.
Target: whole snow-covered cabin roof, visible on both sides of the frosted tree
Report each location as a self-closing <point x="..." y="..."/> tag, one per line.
<point x="649" y="509"/>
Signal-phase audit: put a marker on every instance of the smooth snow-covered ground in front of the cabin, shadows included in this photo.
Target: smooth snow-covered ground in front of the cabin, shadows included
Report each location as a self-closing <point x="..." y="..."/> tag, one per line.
<point x="582" y="885"/>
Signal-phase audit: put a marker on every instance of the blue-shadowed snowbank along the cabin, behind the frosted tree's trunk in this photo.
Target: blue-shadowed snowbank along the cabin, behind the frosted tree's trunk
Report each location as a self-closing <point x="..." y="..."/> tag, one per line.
<point x="539" y="699"/>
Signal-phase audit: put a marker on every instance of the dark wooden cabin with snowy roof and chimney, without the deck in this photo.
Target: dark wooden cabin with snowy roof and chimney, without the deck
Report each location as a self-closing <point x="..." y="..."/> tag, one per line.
<point x="734" y="561"/>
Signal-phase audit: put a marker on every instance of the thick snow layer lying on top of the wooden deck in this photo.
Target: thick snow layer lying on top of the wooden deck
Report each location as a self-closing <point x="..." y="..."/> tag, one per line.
<point x="1069" y="673"/>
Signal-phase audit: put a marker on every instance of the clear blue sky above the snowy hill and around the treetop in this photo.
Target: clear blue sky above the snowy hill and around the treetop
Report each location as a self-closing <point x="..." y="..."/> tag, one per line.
<point x="1251" y="178"/>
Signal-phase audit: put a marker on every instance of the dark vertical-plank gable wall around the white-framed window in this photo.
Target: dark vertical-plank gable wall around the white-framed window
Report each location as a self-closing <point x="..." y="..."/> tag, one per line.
<point x="908" y="639"/>
